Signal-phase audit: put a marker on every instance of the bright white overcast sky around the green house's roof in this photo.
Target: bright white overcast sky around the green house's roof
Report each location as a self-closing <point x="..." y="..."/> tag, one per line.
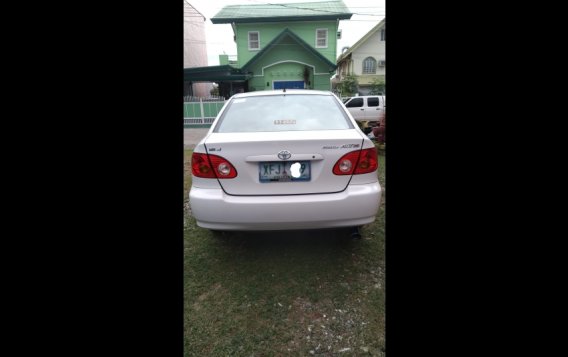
<point x="220" y="37"/>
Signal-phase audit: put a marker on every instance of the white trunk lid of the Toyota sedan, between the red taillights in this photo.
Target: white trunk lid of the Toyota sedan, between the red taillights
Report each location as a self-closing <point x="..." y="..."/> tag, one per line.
<point x="252" y="153"/>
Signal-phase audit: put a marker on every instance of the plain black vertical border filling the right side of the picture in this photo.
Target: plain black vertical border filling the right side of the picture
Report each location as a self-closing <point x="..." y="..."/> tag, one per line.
<point x="461" y="218"/>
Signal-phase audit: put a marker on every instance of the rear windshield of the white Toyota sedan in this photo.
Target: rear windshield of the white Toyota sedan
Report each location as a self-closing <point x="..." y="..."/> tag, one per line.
<point x="286" y="112"/>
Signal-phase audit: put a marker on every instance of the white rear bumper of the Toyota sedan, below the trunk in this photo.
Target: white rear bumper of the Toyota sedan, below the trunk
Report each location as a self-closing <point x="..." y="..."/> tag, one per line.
<point x="355" y="206"/>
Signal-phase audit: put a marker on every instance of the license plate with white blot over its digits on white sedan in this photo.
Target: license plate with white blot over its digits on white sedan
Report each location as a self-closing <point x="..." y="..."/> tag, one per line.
<point x="284" y="171"/>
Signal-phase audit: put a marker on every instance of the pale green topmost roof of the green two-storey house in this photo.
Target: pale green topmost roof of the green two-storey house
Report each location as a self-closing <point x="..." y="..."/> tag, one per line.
<point x="304" y="11"/>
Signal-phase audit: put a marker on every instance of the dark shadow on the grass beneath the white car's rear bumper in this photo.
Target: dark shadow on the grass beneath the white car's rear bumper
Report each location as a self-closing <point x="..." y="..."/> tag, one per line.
<point x="296" y="262"/>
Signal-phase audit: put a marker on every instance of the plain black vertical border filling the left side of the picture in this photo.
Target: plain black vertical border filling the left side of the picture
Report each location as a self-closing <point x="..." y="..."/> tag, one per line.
<point x="105" y="172"/>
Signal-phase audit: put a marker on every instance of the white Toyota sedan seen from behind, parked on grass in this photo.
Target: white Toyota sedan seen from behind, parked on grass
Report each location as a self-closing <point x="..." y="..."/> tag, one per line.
<point x="281" y="160"/>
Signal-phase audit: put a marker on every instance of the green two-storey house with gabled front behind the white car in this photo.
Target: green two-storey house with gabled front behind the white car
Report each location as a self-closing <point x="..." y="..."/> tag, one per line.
<point x="284" y="45"/>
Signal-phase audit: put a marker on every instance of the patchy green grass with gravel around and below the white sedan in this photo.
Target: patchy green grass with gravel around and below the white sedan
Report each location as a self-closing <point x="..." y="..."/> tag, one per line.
<point x="285" y="293"/>
